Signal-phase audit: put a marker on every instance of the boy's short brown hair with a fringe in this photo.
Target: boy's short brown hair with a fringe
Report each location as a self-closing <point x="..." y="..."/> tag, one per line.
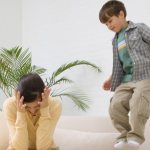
<point x="111" y="8"/>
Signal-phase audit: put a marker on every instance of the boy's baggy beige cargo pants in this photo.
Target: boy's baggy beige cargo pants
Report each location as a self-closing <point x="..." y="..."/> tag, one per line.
<point x="133" y="97"/>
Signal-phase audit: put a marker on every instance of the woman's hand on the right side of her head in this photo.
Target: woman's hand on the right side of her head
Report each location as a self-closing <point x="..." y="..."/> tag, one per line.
<point x="45" y="96"/>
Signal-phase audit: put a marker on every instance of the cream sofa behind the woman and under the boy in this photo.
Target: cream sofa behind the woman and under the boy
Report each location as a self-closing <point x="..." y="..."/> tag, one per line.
<point x="80" y="133"/>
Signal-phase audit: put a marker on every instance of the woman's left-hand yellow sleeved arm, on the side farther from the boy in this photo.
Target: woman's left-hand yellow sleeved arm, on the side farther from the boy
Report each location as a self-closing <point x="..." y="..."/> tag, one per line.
<point x="18" y="135"/>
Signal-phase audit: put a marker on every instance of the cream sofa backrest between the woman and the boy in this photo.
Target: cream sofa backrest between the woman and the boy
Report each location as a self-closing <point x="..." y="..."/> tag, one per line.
<point x="86" y="123"/>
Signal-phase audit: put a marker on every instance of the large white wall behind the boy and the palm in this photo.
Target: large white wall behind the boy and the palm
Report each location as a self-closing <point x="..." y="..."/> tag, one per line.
<point x="58" y="31"/>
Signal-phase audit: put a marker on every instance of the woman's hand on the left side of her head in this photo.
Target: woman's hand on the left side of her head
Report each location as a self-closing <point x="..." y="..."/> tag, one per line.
<point x="19" y="101"/>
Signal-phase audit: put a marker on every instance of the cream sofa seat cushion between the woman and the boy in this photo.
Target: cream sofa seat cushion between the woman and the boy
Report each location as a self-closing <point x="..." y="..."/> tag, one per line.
<point x="79" y="140"/>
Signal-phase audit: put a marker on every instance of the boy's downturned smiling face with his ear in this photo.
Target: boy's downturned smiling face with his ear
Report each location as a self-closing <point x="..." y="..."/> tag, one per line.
<point x="116" y="23"/>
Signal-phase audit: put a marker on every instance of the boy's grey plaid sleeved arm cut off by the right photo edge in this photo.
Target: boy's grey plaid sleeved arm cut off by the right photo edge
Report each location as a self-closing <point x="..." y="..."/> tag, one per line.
<point x="145" y="32"/>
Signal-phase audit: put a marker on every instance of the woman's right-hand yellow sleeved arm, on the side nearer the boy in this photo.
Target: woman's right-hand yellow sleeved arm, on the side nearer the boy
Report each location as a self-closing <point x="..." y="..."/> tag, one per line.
<point x="47" y="123"/>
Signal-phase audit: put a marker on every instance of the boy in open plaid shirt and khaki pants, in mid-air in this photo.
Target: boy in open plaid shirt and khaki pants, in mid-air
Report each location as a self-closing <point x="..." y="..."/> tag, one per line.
<point x="130" y="77"/>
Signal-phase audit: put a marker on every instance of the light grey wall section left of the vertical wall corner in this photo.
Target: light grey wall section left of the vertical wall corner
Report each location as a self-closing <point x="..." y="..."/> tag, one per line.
<point x="10" y="27"/>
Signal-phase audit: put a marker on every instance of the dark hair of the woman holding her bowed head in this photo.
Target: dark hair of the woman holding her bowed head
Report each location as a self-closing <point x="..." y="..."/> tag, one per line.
<point x="30" y="86"/>
